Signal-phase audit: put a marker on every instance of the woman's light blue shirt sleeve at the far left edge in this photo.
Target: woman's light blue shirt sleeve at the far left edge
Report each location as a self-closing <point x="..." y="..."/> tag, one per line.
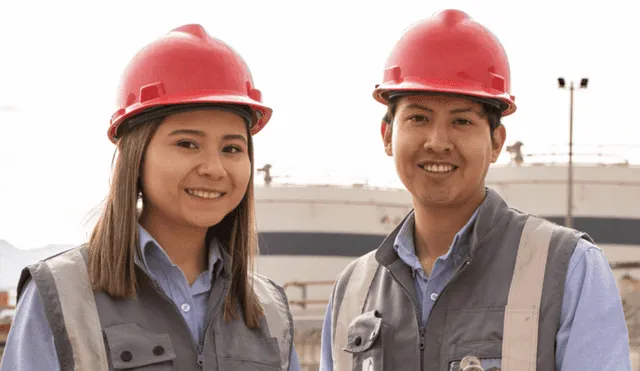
<point x="30" y="345"/>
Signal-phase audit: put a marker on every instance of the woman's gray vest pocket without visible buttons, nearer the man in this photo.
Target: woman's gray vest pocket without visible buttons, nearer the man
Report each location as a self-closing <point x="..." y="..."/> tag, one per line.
<point x="247" y="353"/>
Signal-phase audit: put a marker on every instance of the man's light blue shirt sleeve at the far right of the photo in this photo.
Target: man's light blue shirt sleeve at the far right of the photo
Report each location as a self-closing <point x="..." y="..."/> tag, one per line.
<point x="593" y="333"/>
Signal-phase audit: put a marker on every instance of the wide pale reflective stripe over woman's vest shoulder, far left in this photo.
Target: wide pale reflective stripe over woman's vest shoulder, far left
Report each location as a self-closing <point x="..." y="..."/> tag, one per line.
<point x="63" y="284"/>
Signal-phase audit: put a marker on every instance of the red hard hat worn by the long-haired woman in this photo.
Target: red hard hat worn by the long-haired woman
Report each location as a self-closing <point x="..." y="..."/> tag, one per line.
<point x="187" y="66"/>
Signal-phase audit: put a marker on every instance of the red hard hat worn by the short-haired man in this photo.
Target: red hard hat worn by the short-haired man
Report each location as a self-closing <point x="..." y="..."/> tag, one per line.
<point x="449" y="53"/>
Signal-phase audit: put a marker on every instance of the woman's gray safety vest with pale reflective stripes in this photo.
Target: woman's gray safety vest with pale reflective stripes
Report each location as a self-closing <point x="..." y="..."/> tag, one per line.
<point x="92" y="331"/>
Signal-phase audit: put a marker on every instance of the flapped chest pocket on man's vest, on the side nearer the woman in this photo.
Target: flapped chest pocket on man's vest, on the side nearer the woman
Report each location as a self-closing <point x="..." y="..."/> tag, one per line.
<point x="365" y="341"/>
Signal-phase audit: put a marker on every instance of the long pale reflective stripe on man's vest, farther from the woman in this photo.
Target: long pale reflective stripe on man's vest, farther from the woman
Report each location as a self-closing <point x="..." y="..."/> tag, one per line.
<point x="521" y="316"/>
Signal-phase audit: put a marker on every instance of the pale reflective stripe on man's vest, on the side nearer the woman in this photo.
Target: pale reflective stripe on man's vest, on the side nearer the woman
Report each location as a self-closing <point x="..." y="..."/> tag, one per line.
<point x="344" y="311"/>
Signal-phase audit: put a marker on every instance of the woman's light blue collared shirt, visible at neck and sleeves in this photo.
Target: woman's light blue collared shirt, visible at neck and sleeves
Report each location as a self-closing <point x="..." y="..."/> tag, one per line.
<point x="30" y="344"/>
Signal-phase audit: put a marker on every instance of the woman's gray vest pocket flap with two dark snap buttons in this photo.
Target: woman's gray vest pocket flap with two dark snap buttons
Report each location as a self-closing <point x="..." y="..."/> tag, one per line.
<point x="131" y="347"/>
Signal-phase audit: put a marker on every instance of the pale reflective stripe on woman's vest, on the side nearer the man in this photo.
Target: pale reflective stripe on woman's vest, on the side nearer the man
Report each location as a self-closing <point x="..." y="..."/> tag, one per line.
<point x="277" y="314"/>
